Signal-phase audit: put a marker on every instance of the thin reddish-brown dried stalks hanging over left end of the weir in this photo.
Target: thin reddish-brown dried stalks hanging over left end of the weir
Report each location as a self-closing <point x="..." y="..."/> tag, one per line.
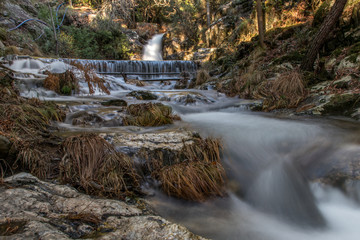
<point x="91" y="77"/>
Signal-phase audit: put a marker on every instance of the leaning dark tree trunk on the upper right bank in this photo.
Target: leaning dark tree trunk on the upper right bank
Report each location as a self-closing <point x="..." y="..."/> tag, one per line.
<point x="321" y="36"/>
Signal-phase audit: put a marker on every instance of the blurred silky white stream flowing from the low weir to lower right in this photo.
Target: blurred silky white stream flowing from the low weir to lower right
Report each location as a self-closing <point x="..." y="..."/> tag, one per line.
<point x="272" y="162"/>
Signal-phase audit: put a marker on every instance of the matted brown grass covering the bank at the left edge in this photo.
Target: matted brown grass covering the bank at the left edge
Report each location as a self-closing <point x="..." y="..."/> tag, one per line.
<point x="26" y="122"/>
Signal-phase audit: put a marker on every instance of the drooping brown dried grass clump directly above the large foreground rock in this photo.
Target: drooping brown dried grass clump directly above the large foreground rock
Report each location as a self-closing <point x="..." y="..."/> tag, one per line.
<point x="94" y="165"/>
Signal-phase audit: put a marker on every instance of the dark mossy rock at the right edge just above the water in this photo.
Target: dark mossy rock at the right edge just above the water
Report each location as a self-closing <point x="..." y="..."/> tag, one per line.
<point x="342" y="105"/>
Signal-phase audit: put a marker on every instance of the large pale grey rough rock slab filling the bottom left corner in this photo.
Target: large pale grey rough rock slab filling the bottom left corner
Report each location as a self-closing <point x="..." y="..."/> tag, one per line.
<point x="33" y="209"/>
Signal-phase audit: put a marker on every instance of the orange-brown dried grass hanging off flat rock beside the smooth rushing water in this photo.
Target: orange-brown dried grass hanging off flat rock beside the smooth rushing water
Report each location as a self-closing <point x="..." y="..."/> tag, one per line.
<point x="194" y="173"/>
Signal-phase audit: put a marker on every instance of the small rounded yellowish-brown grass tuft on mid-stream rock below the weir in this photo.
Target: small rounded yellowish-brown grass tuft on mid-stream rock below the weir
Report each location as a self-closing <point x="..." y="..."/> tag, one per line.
<point x="148" y="114"/>
